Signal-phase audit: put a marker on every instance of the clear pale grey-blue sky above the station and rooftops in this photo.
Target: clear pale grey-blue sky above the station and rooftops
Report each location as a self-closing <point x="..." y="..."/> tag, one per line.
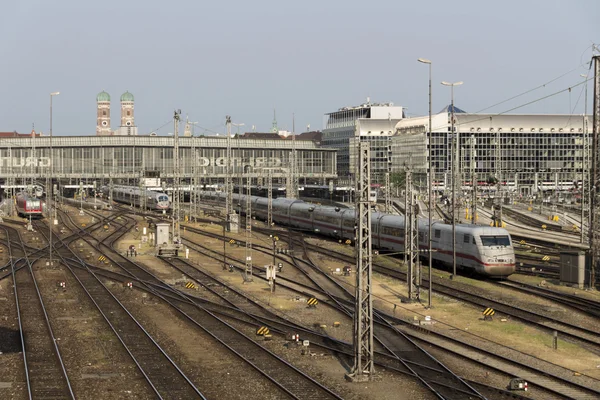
<point x="303" y="59"/>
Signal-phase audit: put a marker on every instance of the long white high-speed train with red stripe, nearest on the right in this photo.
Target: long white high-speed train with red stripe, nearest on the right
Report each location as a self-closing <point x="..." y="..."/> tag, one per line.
<point x="485" y="250"/>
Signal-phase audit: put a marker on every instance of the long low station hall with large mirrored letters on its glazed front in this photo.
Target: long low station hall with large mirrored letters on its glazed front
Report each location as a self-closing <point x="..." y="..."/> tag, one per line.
<point x="127" y="158"/>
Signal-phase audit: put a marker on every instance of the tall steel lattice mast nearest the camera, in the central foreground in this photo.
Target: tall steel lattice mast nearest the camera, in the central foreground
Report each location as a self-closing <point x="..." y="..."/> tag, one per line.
<point x="363" y="368"/>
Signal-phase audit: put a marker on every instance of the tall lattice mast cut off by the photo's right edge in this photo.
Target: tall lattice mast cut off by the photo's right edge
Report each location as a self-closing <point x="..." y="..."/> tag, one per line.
<point x="594" y="227"/>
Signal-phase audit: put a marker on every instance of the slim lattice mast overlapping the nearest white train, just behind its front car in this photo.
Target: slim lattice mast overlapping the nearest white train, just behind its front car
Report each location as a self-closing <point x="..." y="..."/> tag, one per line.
<point x="411" y="248"/>
